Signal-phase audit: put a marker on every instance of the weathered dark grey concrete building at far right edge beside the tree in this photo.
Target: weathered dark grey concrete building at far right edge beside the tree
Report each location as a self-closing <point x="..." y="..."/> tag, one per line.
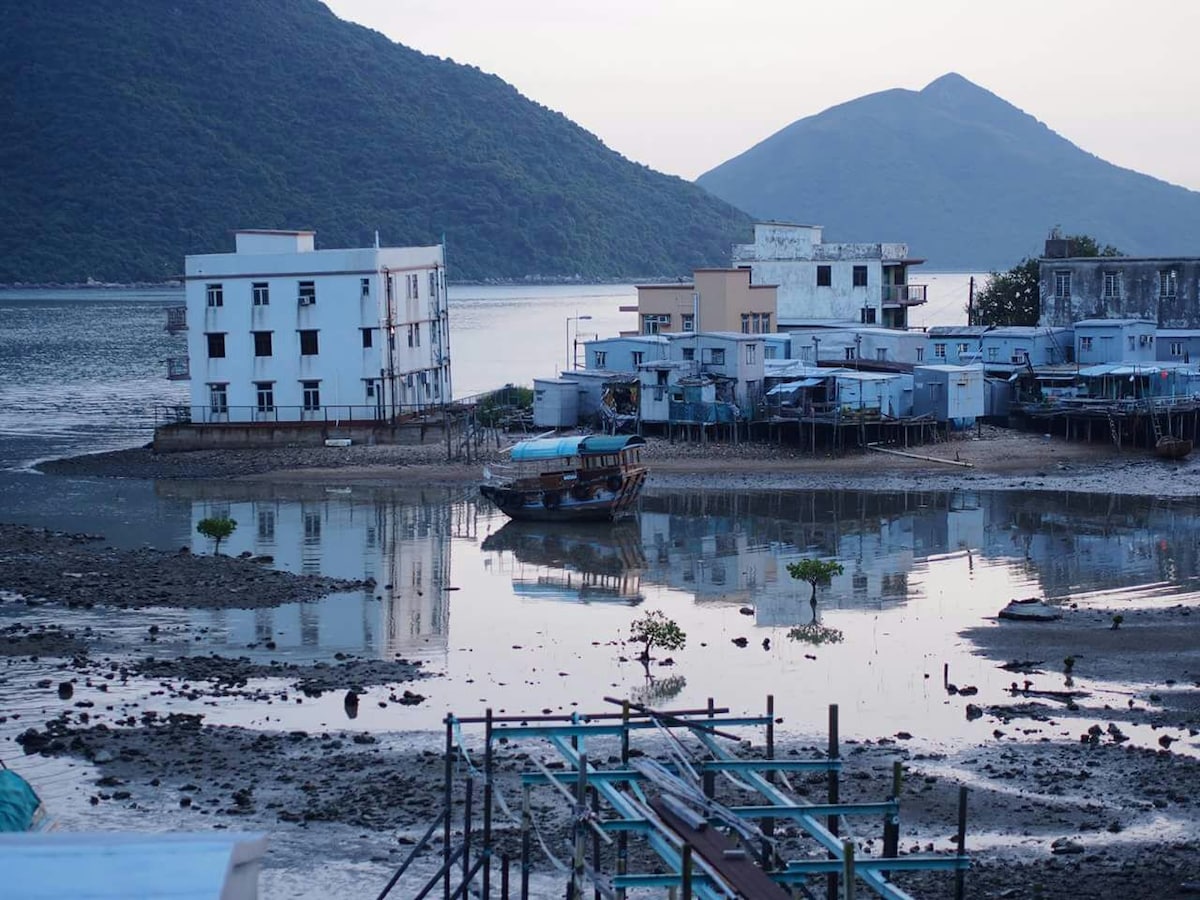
<point x="1162" y="290"/>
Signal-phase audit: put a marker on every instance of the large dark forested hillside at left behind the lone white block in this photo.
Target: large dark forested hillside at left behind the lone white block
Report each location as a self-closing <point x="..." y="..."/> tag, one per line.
<point x="140" y="131"/>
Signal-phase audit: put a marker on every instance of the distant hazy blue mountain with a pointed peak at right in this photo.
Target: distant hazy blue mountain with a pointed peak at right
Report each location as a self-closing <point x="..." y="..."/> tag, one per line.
<point x="967" y="179"/>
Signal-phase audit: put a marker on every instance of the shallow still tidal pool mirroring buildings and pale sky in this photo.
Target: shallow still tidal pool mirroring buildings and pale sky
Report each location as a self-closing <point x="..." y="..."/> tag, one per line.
<point x="919" y="569"/>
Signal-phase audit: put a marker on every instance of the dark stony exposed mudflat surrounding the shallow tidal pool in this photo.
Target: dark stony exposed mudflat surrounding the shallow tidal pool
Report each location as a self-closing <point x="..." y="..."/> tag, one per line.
<point x="1071" y="811"/>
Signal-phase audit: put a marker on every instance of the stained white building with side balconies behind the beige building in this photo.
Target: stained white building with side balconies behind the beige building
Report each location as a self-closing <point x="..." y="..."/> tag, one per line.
<point x="866" y="284"/>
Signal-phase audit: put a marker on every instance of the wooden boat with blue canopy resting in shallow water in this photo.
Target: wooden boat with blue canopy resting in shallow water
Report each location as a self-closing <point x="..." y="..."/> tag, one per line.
<point x="575" y="479"/>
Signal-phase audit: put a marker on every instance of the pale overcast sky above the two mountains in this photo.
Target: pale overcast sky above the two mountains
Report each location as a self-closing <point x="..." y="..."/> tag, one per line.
<point x="683" y="86"/>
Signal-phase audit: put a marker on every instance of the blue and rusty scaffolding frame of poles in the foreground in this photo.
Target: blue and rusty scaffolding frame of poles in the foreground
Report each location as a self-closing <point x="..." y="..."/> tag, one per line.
<point x="703" y="844"/>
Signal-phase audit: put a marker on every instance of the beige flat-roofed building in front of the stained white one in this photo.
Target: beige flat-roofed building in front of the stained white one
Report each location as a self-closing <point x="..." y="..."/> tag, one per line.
<point x="717" y="301"/>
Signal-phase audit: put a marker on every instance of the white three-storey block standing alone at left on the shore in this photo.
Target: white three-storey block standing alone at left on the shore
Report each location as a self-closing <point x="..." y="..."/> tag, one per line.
<point x="280" y="332"/>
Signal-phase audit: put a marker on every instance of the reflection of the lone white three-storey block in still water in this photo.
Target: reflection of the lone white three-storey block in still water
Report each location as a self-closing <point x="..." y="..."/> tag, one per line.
<point x="400" y="541"/>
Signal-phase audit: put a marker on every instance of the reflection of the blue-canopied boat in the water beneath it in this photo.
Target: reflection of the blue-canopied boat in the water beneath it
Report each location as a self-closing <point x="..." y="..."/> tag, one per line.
<point x="590" y="563"/>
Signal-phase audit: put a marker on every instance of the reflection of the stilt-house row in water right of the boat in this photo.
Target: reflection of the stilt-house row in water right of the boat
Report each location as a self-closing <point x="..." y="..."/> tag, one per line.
<point x="734" y="548"/>
